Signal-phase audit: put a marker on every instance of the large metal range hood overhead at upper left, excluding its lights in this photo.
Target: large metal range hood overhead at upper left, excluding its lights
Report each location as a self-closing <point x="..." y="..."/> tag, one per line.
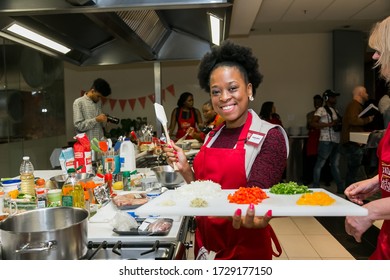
<point x="108" y="32"/>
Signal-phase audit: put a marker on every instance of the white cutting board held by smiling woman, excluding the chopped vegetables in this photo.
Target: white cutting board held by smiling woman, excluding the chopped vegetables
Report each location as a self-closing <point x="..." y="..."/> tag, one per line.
<point x="281" y="205"/>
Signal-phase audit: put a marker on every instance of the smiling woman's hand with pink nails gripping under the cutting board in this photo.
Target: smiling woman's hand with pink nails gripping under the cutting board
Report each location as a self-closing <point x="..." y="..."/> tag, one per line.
<point x="250" y="220"/>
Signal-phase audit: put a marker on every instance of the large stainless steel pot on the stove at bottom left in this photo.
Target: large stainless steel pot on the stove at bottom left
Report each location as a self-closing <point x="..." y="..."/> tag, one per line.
<point x="45" y="234"/>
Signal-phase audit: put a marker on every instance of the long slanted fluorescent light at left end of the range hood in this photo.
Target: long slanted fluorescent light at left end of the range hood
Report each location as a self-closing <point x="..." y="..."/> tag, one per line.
<point x="28" y="34"/>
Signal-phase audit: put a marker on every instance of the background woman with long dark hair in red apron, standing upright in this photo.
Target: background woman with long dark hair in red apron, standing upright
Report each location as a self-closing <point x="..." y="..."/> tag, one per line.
<point x="185" y="116"/>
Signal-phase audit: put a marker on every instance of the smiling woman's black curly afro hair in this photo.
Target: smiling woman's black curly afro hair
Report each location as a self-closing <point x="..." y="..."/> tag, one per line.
<point x="230" y="54"/>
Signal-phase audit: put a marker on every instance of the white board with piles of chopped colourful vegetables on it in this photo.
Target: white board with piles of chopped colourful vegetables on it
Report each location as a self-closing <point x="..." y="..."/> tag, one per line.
<point x="205" y="198"/>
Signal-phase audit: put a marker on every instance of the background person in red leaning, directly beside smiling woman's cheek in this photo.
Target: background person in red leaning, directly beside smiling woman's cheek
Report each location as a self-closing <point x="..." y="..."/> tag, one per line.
<point x="211" y="120"/>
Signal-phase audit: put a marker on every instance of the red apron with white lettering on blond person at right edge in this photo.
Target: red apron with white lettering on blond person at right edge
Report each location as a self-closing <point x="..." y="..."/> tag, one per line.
<point x="382" y="251"/>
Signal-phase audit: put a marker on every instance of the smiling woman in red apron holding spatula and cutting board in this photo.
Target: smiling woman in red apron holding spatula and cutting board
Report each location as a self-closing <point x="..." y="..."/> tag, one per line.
<point x="230" y="74"/>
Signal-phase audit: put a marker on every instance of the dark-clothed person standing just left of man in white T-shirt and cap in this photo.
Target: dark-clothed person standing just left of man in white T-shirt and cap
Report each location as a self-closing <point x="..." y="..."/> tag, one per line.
<point x="311" y="145"/>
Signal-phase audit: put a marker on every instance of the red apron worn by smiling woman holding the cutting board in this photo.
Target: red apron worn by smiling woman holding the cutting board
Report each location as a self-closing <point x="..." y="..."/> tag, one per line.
<point x="227" y="167"/>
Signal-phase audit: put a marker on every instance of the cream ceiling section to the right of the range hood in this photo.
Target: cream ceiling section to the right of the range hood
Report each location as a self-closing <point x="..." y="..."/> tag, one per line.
<point x="305" y="16"/>
